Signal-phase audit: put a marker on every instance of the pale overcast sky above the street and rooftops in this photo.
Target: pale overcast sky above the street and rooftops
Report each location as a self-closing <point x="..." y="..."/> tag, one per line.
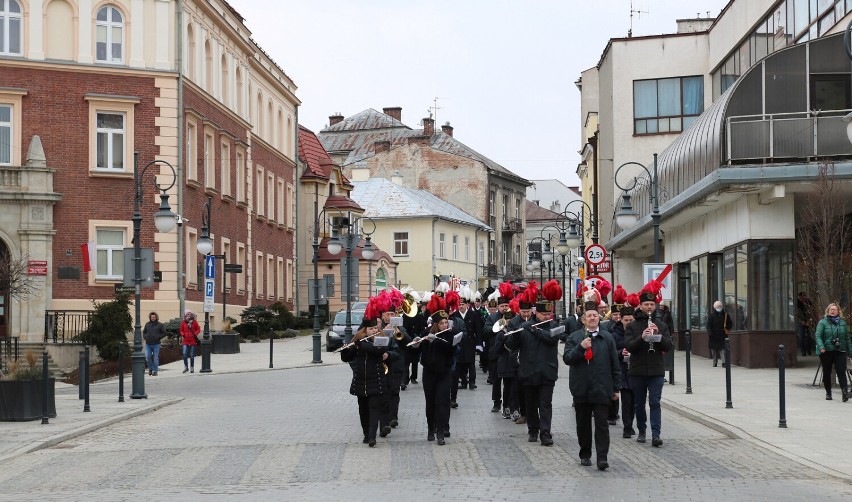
<point x="503" y="71"/>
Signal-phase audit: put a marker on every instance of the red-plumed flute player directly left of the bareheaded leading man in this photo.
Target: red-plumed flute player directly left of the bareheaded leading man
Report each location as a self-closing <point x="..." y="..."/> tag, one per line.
<point x="539" y="366"/>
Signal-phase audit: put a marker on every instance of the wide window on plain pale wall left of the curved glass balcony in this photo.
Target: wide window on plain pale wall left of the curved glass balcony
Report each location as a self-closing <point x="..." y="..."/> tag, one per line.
<point x="667" y="105"/>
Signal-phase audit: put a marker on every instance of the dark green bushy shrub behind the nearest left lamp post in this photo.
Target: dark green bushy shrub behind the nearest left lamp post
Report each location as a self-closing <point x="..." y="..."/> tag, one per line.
<point x="108" y="327"/>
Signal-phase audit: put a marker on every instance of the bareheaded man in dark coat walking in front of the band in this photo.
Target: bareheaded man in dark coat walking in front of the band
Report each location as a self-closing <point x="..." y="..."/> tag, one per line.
<point x="594" y="380"/>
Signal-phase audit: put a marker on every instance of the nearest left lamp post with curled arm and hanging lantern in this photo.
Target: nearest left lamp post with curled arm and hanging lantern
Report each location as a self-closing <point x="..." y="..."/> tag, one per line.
<point x="165" y="221"/>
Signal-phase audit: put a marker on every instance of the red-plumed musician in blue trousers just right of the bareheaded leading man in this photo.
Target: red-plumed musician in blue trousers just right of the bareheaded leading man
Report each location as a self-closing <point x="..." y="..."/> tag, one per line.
<point x="647" y="339"/>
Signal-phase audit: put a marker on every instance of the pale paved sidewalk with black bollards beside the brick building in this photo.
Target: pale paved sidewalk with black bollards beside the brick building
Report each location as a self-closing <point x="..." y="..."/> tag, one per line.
<point x="17" y="438"/>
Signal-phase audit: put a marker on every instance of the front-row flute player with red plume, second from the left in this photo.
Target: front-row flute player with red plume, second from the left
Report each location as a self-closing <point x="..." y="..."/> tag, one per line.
<point x="436" y="356"/>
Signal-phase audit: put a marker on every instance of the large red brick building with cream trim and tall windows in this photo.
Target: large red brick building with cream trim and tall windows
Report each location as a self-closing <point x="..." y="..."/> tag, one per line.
<point x="82" y="87"/>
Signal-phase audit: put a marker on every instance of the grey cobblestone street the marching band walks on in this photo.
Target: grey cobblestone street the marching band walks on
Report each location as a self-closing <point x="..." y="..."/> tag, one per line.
<point x="294" y="434"/>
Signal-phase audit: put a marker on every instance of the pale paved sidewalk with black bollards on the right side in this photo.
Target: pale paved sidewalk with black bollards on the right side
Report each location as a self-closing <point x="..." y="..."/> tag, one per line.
<point x="818" y="433"/>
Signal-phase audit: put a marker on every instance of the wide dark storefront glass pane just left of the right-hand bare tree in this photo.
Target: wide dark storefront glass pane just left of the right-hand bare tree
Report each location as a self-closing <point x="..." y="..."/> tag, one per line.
<point x="771" y="273"/>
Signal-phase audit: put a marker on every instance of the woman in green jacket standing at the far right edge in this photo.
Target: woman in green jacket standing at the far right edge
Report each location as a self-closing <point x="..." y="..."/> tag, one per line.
<point x="834" y="347"/>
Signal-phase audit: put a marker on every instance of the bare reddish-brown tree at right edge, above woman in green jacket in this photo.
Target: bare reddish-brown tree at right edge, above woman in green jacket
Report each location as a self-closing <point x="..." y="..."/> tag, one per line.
<point x="825" y="240"/>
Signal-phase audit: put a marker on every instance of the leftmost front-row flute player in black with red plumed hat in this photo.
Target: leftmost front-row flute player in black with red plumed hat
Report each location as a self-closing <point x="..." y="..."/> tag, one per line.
<point x="370" y="379"/>
